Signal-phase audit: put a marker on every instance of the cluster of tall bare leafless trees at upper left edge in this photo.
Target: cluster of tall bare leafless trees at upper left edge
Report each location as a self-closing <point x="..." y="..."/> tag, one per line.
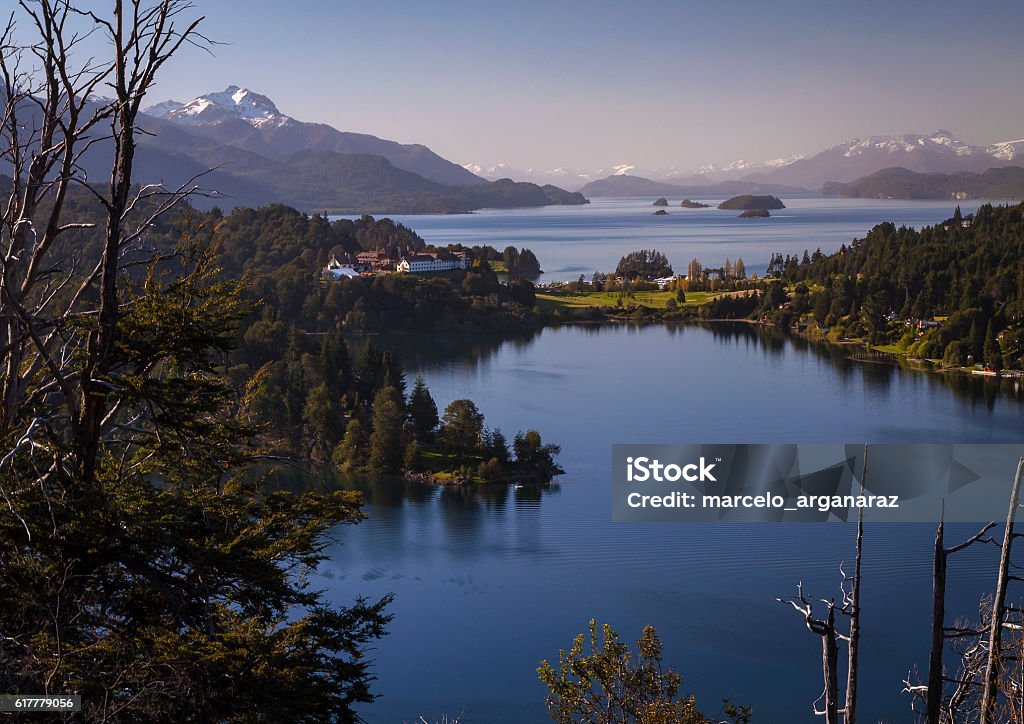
<point x="59" y="322"/>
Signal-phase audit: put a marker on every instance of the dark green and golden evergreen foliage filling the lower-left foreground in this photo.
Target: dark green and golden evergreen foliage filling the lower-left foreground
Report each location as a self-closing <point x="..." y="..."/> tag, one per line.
<point x="170" y="582"/>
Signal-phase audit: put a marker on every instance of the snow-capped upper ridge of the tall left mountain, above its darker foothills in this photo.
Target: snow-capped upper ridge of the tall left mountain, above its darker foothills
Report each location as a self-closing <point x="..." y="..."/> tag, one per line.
<point x="245" y="119"/>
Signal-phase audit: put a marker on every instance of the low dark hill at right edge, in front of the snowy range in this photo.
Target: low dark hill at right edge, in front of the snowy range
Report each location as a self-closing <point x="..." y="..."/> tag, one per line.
<point x="1007" y="183"/>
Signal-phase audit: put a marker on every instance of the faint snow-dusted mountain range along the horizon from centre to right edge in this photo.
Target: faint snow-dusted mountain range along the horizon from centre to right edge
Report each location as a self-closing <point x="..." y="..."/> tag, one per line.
<point x="941" y="152"/>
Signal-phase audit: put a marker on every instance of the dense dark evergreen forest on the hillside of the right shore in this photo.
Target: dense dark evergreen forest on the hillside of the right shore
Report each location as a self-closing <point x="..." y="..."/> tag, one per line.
<point x="945" y="292"/>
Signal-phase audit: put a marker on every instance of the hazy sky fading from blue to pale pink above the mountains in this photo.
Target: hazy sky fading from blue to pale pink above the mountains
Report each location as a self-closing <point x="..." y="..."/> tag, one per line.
<point x="598" y="83"/>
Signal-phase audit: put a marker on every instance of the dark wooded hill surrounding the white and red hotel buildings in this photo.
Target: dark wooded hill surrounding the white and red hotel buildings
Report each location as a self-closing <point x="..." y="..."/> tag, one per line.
<point x="283" y="251"/>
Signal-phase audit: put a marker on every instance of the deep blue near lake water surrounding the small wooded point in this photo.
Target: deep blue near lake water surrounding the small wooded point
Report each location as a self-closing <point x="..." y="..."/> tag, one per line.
<point x="491" y="583"/>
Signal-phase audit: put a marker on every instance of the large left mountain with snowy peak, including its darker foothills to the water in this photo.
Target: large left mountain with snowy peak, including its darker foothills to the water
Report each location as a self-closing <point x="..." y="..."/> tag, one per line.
<point x="262" y="156"/>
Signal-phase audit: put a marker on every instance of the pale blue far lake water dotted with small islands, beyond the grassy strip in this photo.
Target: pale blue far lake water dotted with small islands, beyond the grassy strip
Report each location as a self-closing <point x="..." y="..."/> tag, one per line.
<point x="574" y="240"/>
